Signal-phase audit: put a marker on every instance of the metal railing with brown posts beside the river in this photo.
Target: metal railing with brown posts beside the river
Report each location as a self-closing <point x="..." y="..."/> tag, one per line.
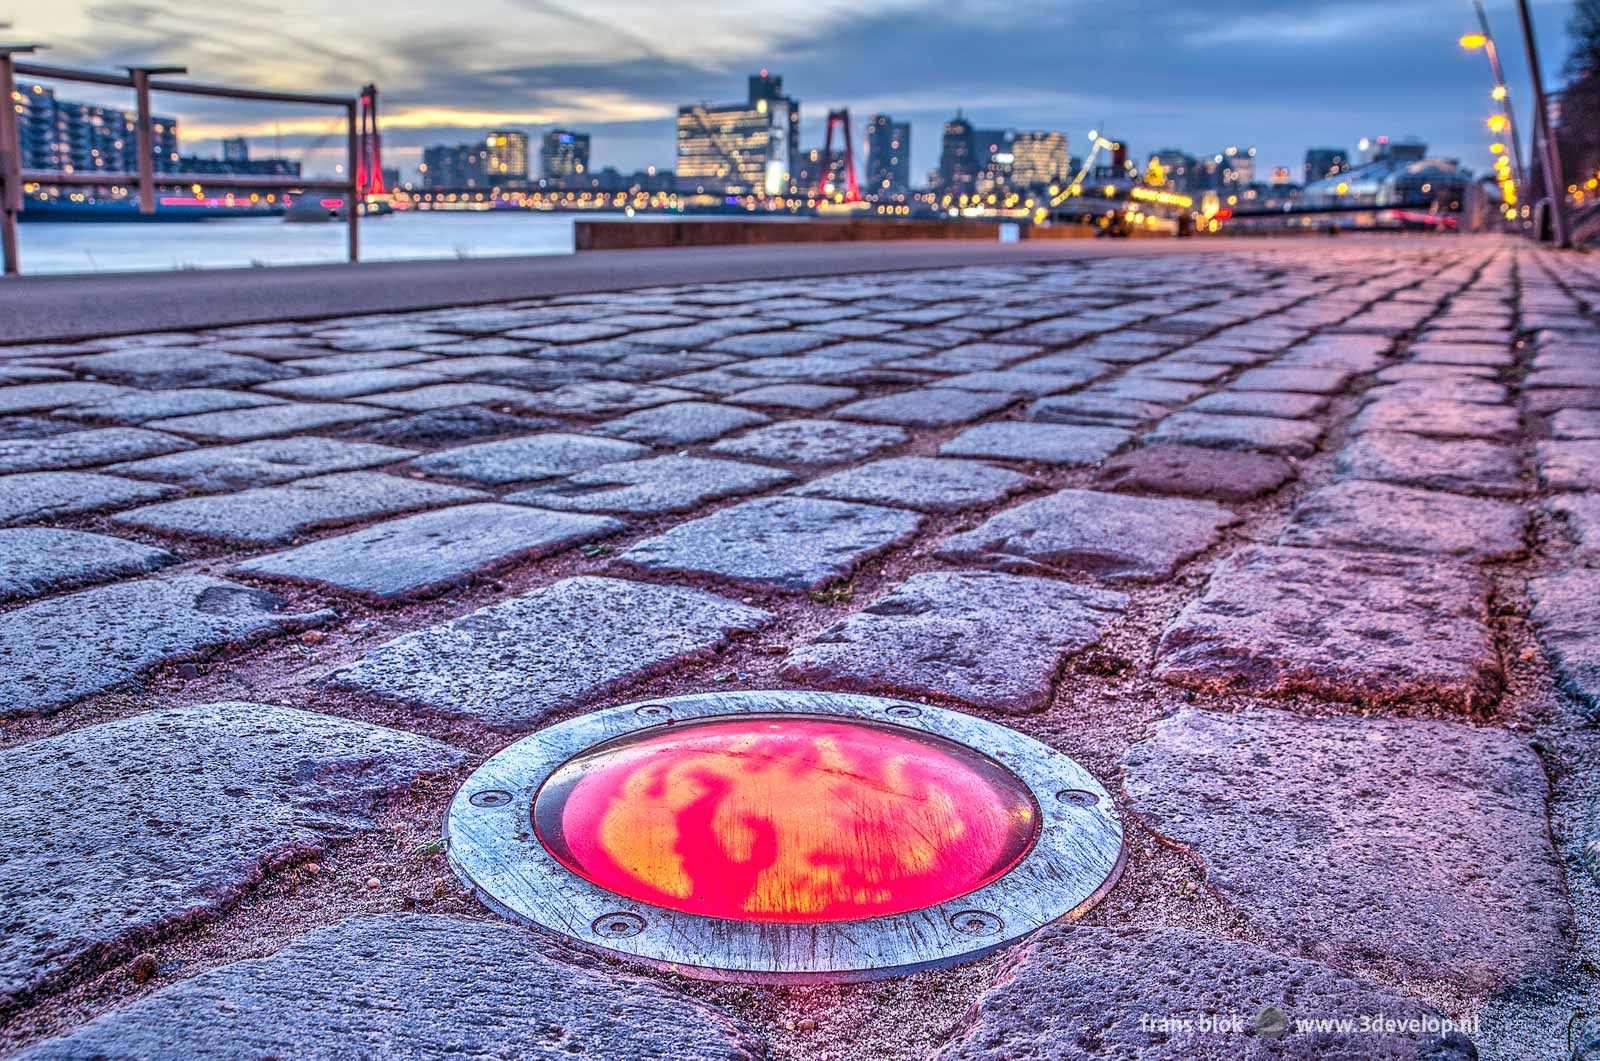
<point x="143" y="82"/>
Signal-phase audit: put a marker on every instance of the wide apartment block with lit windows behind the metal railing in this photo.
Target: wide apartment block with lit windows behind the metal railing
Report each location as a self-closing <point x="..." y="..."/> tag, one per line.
<point x="82" y="138"/>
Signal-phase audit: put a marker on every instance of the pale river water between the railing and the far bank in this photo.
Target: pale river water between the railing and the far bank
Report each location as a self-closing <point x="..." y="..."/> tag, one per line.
<point x="116" y="247"/>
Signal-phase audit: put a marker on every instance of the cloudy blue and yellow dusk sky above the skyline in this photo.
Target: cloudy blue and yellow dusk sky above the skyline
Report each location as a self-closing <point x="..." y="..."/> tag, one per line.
<point x="1199" y="78"/>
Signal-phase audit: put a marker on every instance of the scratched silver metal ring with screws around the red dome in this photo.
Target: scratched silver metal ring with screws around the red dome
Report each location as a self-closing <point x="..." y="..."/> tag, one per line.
<point x="1074" y="862"/>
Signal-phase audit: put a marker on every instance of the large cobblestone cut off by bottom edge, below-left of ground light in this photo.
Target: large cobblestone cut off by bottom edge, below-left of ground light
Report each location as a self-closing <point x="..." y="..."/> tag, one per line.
<point x="412" y="987"/>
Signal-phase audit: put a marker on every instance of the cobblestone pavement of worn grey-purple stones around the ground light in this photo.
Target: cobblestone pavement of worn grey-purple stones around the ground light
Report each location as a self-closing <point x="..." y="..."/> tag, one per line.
<point x="1295" y="550"/>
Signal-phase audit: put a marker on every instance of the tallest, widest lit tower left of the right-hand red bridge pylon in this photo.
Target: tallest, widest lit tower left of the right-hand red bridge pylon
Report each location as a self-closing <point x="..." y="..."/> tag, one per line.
<point x="742" y="148"/>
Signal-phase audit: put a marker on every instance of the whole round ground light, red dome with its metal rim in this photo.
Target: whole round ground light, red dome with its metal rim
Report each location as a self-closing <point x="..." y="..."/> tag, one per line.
<point x="785" y="836"/>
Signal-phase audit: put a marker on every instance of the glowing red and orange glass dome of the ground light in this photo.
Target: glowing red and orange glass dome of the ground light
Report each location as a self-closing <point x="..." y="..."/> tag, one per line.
<point x="786" y="819"/>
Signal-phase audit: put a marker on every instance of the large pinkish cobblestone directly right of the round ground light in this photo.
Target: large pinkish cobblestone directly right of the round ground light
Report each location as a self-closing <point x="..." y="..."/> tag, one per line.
<point x="1410" y="849"/>
